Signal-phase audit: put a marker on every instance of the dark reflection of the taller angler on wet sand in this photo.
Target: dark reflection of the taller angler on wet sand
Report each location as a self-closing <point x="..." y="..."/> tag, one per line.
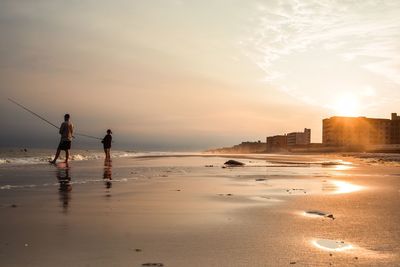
<point x="64" y="180"/>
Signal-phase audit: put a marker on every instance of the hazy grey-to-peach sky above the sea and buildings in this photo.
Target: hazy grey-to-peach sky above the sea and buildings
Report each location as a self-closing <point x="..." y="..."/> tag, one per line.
<point x="191" y="75"/>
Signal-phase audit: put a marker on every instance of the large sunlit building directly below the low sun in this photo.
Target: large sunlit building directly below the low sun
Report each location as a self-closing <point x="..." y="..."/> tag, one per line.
<point x="360" y="131"/>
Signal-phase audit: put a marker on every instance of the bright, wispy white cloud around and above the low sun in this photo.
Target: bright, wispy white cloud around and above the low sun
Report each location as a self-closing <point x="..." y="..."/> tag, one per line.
<point x="312" y="48"/>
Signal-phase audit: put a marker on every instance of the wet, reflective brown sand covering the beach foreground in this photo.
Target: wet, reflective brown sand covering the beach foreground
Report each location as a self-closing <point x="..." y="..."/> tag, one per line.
<point x="189" y="211"/>
